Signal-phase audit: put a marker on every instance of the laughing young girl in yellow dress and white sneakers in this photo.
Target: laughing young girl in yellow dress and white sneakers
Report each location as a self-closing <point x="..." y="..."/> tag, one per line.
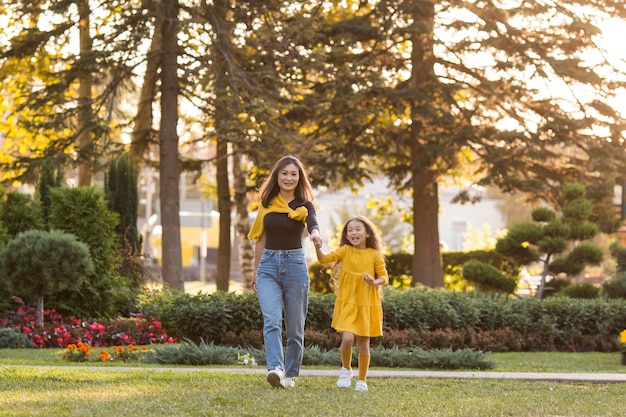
<point x="358" y="309"/>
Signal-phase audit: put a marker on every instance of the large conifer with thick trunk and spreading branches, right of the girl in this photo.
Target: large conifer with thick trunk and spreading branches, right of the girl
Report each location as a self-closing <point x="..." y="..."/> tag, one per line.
<point x="457" y="81"/>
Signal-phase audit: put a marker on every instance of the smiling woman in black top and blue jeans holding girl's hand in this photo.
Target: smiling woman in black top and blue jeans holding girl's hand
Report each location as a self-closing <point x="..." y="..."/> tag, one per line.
<point x="282" y="278"/>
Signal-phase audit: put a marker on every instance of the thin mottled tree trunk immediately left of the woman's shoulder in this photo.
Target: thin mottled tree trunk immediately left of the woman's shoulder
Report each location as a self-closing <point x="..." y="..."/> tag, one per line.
<point x="242" y="223"/>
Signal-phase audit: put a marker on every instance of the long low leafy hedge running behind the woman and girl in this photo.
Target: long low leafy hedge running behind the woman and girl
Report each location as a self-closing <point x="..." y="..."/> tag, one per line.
<point x="413" y="318"/>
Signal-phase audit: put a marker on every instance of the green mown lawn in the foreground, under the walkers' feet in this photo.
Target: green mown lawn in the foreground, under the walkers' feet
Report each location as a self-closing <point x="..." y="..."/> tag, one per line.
<point x="139" y="390"/>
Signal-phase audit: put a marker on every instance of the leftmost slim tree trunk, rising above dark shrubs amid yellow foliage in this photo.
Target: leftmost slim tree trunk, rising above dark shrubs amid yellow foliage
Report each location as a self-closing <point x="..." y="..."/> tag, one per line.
<point x="85" y="136"/>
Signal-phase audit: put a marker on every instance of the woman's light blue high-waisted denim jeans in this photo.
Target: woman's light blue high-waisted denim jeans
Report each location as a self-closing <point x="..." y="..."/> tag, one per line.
<point x="282" y="279"/>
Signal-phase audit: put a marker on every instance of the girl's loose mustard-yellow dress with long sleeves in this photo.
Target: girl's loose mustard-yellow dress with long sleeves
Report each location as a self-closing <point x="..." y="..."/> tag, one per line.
<point x="358" y="307"/>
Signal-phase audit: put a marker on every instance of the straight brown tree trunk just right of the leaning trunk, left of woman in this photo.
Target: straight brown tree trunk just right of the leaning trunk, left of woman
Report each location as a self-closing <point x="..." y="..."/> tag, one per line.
<point x="169" y="171"/>
